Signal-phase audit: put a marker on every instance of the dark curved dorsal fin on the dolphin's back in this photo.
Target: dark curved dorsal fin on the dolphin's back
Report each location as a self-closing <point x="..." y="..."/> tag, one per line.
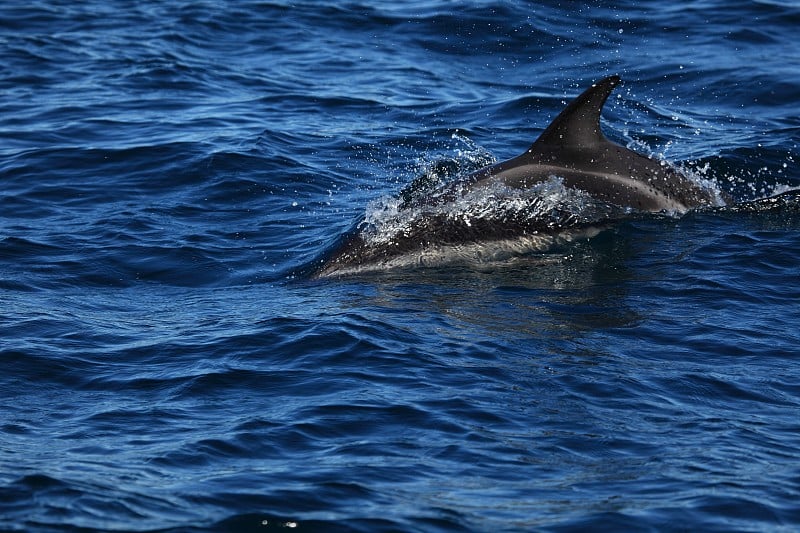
<point x="578" y="125"/>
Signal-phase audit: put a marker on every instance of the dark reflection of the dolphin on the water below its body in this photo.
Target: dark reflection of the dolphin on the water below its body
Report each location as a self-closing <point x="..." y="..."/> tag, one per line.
<point x="569" y="290"/>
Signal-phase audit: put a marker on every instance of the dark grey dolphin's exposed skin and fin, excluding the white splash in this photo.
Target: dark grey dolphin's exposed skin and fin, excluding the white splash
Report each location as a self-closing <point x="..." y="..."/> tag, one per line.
<point x="572" y="148"/>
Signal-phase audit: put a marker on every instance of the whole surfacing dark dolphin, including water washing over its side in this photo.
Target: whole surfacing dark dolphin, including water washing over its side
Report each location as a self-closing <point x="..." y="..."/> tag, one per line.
<point x="430" y="226"/>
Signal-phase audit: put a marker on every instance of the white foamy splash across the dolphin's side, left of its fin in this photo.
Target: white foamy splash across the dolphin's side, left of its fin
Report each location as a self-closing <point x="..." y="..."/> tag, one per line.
<point x="483" y="222"/>
